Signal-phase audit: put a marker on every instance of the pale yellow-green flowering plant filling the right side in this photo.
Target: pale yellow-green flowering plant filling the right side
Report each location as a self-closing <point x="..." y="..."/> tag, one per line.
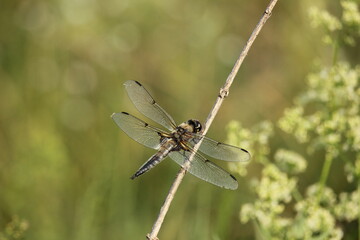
<point x="324" y="119"/>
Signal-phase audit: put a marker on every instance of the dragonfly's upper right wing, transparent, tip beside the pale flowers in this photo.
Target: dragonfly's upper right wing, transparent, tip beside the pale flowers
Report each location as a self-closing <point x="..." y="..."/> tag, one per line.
<point x="221" y="151"/>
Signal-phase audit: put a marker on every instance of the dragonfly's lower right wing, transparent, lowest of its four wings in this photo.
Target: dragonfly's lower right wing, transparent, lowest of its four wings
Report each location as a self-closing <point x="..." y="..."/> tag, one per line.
<point x="205" y="169"/>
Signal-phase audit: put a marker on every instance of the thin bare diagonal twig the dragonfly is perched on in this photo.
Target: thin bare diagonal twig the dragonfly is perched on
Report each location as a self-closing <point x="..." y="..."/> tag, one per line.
<point x="224" y="91"/>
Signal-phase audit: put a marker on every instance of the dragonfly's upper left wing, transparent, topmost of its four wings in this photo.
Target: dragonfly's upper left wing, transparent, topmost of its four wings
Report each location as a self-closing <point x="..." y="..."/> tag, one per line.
<point x="147" y="105"/>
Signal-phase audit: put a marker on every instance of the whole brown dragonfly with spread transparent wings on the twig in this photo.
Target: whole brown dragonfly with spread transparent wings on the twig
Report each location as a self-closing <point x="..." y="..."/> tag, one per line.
<point x="178" y="142"/>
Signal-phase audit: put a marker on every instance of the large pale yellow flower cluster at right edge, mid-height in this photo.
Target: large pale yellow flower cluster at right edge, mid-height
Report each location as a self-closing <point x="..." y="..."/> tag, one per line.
<point x="336" y="92"/>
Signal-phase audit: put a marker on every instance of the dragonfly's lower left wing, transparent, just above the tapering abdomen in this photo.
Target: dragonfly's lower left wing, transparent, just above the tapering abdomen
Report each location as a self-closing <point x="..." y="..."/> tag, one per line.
<point x="138" y="130"/>
